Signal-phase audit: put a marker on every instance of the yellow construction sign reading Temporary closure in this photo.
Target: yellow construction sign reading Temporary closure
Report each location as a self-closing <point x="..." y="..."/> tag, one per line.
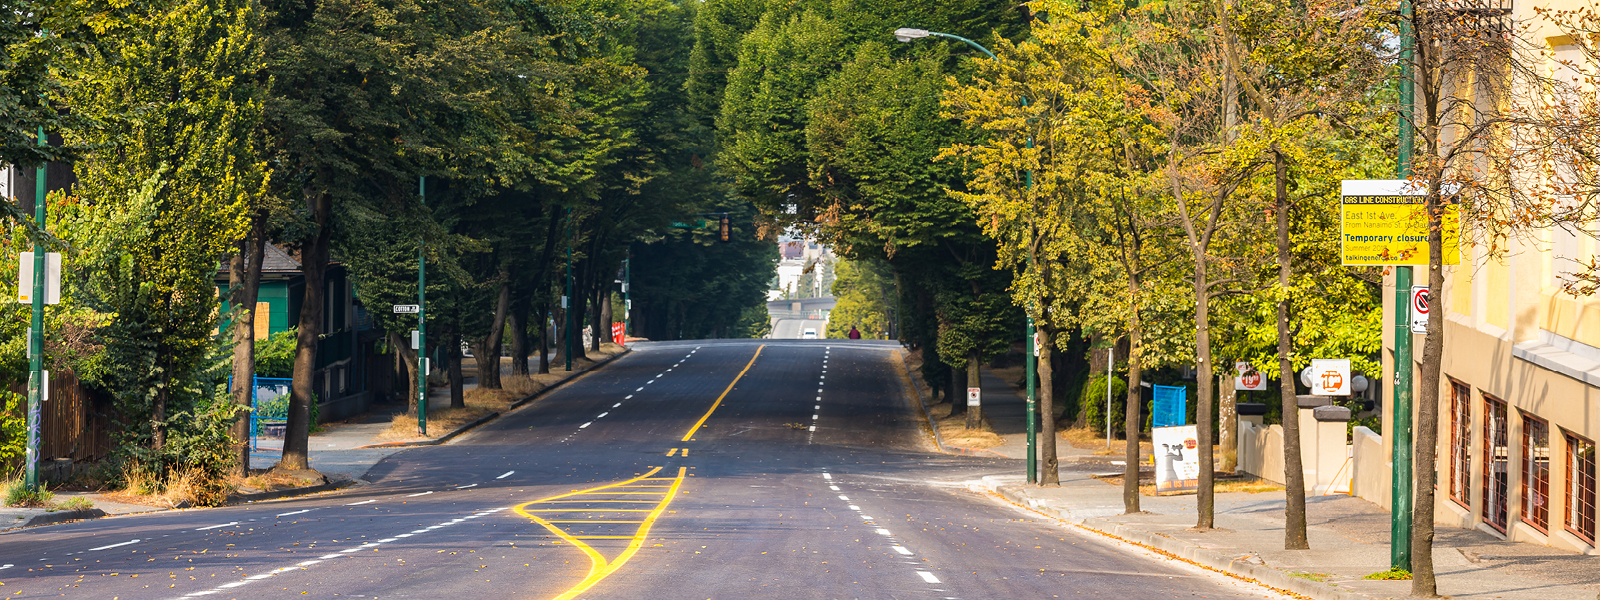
<point x="1383" y="223"/>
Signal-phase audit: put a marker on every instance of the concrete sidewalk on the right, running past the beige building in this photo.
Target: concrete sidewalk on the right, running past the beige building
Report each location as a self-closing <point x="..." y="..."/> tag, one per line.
<point x="1350" y="537"/>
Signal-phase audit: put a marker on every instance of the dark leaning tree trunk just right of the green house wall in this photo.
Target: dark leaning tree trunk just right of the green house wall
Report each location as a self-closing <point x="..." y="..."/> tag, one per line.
<point x="314" y="270"/>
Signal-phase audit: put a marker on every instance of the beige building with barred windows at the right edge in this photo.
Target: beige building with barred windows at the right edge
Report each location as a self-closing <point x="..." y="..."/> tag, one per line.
<point x="1521" y="393"/>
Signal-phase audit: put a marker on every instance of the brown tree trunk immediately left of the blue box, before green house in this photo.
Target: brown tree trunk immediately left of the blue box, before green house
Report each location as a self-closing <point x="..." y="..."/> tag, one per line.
<point x="244" y="284"/>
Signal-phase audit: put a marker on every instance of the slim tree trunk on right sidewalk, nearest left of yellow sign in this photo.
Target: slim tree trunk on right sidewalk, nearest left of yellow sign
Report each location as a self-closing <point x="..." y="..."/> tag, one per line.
<point x="1294" y="466"/>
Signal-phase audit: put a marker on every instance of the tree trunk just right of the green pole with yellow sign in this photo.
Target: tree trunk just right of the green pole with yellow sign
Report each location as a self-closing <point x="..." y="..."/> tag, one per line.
<point x="1426" y="450"/>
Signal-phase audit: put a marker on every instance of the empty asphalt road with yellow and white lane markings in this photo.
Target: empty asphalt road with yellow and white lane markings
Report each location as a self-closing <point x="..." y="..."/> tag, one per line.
<point x="719" y="470"/>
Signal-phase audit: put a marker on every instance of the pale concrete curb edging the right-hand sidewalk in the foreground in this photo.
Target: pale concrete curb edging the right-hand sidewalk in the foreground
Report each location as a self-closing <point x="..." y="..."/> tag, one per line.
<point x="1188" y="551"/>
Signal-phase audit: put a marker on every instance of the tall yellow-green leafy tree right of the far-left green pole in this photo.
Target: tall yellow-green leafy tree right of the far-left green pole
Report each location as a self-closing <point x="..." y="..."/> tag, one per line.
<point x="170" y="87"/>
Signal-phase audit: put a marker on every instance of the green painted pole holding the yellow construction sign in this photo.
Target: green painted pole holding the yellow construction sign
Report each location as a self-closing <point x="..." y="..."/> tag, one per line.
<point x="1401" y="426"/>
